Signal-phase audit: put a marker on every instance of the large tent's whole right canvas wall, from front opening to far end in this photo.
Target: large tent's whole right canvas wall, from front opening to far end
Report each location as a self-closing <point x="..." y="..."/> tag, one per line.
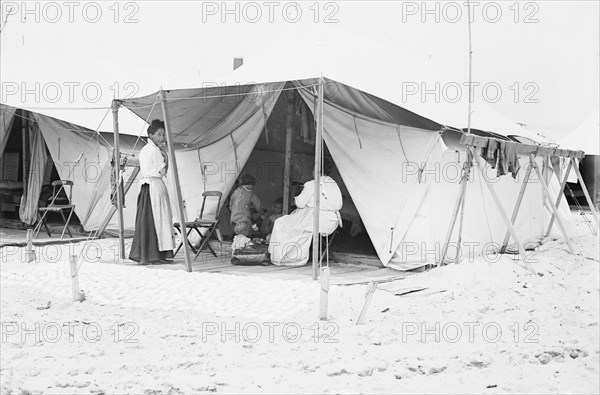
<point x="404" y="186"/>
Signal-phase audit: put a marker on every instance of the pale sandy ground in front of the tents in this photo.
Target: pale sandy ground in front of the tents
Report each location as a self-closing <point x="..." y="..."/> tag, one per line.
<point x="481" y="327"/>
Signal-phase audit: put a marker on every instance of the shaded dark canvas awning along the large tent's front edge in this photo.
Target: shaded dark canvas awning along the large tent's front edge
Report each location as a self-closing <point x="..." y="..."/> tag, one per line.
<point x="197" y="115"/>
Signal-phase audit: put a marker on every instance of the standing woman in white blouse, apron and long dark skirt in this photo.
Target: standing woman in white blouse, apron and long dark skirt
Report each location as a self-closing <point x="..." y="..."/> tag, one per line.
<point x="153" y="237"/>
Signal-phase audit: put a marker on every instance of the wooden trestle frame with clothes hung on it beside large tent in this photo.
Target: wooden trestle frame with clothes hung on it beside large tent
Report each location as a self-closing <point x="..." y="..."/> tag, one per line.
<point x="473" y="144"/>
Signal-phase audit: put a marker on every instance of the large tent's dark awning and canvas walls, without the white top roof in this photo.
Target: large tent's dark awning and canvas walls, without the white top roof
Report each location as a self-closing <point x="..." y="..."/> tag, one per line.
<point x="400" y="172"/>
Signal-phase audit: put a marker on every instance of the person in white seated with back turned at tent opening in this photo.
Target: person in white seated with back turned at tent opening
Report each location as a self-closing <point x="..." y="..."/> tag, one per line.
<point x="292" y="234"/>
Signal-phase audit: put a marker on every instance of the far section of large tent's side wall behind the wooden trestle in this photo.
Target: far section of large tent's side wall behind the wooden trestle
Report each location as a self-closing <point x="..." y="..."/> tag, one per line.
<point x="483" y="229"/>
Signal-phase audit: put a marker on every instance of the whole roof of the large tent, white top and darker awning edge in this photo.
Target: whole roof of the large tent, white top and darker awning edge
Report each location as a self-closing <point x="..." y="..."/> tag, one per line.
<point x="363" y="76"/>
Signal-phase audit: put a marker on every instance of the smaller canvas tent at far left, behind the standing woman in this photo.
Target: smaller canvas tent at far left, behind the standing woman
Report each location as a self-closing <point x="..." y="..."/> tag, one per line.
<point x="55" y="149"/>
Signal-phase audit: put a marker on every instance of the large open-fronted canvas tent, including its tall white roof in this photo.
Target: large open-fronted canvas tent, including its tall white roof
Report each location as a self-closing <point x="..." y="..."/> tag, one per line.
<point x="397" y="153"/>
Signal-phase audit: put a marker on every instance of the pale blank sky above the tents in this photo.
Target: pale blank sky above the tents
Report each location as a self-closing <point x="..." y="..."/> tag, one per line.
<point x="537" y="63"/>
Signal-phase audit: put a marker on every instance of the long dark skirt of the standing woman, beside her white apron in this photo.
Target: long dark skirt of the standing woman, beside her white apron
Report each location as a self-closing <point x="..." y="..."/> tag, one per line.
<point x="144" y="248"/>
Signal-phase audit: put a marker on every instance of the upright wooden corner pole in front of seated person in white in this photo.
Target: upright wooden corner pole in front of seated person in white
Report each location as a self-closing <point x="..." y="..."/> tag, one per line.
<point x="317" y="203"/>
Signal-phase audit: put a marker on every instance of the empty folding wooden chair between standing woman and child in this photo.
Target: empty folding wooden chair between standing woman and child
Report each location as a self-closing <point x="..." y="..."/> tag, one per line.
<point x="210" y="224"/>
